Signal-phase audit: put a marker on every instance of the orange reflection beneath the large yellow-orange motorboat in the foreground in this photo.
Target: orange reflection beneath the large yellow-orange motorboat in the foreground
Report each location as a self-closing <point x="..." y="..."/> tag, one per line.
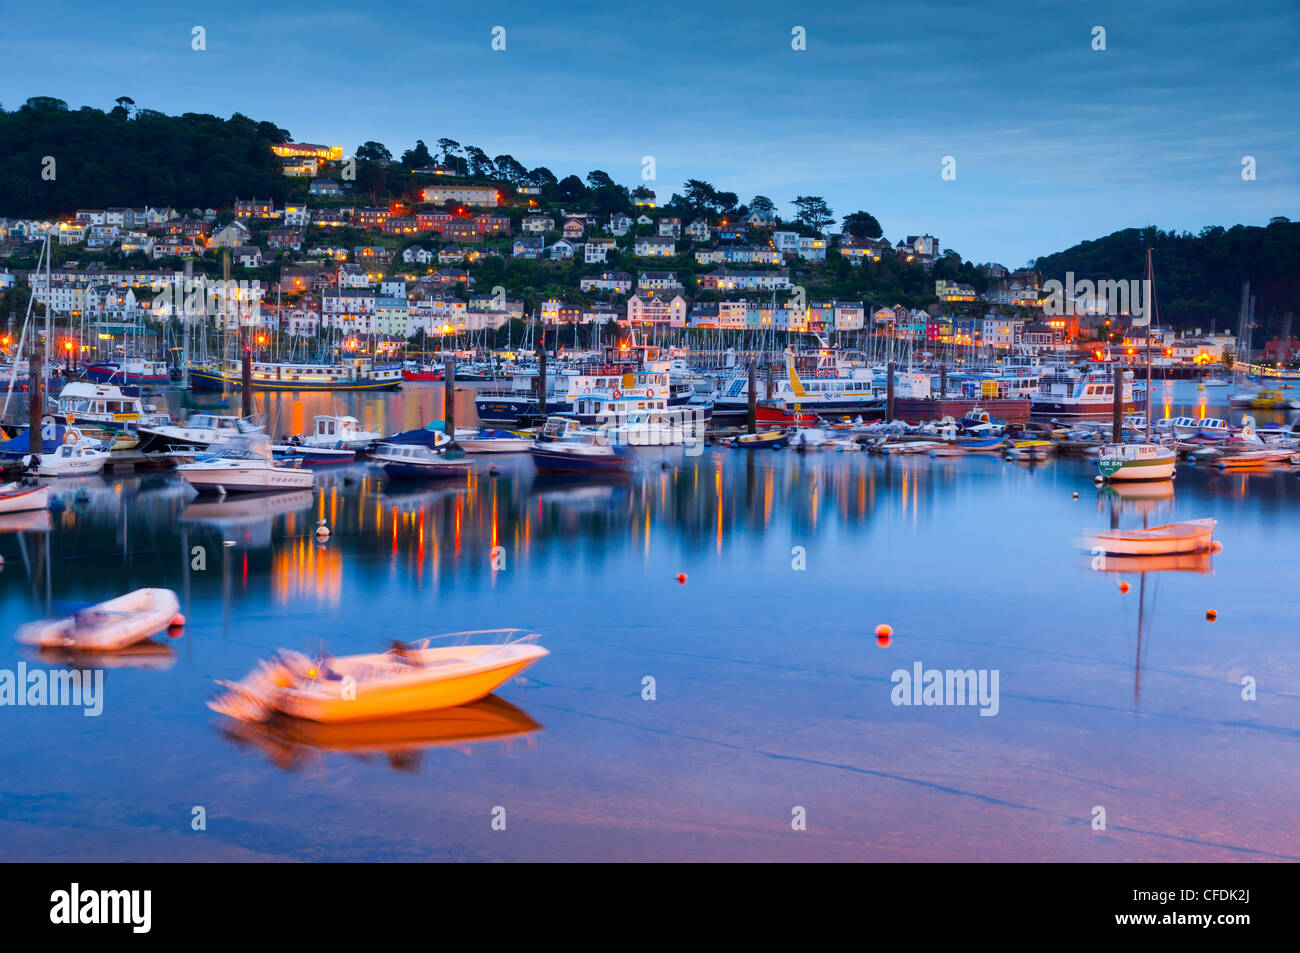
<point x="292" y="743"/>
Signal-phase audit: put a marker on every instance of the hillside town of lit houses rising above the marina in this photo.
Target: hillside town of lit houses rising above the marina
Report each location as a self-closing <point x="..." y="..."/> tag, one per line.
<point x="467" y="257"/>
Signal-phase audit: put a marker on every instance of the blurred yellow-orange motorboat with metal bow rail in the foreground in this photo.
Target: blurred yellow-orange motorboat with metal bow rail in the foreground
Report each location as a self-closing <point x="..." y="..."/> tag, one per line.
<point x="406" y="681"/>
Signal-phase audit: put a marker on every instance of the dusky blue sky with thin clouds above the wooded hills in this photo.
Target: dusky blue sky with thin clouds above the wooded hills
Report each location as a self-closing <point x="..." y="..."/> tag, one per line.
<point x="1052" y="141"/>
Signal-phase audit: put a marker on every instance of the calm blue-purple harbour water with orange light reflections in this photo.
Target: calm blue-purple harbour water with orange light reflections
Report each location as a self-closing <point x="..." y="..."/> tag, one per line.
<point x="772" y="691"/>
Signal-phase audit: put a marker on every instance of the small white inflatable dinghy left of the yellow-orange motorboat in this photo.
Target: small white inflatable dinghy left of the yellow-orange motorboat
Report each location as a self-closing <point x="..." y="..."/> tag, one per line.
<point x="109" y="626"/>
